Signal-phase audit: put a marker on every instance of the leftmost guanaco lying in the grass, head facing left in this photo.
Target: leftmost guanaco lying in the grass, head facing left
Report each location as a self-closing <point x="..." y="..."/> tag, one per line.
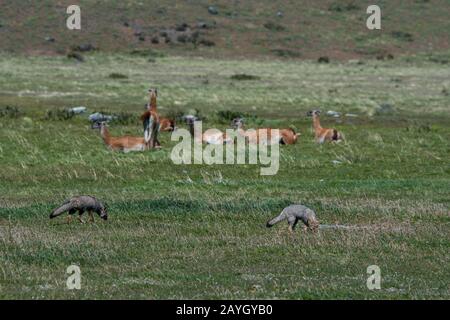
<point x="125" y="144"/>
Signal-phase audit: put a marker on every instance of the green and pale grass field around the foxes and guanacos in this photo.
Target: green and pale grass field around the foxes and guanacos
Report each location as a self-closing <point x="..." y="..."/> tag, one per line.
<point x="199" y="231"/>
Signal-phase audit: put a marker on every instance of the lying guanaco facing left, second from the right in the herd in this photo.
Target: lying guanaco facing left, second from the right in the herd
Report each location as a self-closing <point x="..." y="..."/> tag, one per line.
<point x="285" y="136"/>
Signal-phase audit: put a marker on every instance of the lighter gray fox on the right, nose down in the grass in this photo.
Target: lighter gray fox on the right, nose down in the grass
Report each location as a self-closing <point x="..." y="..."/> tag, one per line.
<point x="296" y="212"/>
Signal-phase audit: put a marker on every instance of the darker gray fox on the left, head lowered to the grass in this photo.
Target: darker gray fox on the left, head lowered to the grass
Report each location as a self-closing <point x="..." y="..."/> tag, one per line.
<point x="81" y="204"/>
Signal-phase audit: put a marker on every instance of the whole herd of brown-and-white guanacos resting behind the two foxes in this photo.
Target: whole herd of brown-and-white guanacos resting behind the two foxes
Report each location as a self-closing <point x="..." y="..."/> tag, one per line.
<point x="153" y="124"/>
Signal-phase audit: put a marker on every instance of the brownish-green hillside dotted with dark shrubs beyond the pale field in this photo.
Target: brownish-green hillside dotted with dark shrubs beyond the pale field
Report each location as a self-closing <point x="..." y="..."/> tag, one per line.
<point x="286" y="29"/>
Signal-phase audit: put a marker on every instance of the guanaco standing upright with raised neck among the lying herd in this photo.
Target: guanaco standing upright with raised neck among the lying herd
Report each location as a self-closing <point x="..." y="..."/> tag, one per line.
<point x="151" y="121"/>
